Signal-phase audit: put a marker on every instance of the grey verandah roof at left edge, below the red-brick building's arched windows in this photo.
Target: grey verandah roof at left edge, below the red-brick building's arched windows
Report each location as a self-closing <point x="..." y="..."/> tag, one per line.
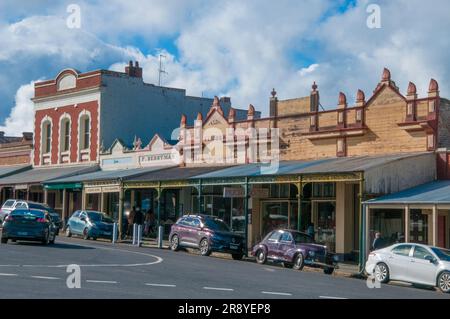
<point x="41" y="174"/>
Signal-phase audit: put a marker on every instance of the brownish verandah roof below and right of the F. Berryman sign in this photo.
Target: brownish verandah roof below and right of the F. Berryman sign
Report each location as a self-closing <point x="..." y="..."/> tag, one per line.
<point x="174" y="173"/>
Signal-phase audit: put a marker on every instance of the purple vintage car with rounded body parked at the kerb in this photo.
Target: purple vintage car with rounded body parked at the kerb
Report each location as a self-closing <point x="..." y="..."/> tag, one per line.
<point x="294" y="249"/>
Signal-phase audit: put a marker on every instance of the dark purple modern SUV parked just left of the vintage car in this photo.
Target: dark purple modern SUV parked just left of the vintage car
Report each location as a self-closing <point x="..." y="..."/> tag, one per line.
<point x="206" y="233"/>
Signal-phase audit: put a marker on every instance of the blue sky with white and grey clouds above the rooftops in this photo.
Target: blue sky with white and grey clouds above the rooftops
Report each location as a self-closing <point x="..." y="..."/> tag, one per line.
<point x="235" y="48"/>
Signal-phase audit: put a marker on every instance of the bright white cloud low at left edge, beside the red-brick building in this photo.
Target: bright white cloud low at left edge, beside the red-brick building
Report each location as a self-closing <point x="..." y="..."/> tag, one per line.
<point x="22" y="114"/>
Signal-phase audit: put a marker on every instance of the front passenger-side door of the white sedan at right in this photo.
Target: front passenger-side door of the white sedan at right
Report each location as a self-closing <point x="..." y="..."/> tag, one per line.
<point x="422" y="270"/>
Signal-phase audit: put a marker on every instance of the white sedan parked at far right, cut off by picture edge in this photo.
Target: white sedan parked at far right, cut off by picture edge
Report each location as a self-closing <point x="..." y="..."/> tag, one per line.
<point x="413" y="263"/>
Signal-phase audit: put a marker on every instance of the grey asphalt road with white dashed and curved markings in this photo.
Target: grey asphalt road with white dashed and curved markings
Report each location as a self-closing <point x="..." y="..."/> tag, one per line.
<point x="29" y="270"/>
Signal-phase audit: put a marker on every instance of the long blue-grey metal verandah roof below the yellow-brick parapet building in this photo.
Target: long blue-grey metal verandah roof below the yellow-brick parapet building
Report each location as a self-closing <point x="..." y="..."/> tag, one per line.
<point x="331" y="165"/>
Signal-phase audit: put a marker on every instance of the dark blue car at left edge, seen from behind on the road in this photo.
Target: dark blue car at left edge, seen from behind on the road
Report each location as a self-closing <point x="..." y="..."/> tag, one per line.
<point x="29" y="224"/>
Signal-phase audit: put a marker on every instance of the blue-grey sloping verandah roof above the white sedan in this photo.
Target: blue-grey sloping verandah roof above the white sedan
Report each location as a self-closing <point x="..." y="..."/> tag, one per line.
<point x="437" y="192"/>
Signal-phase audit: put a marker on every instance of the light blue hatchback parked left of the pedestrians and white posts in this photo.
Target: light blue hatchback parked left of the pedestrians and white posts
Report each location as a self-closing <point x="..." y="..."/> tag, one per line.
<point x="90" y="224"/>
